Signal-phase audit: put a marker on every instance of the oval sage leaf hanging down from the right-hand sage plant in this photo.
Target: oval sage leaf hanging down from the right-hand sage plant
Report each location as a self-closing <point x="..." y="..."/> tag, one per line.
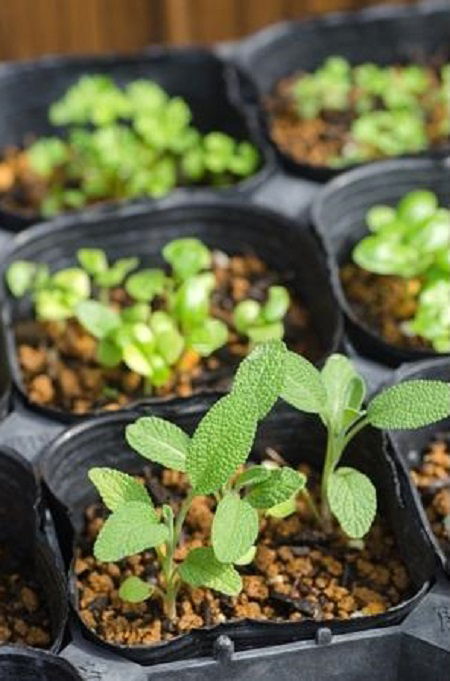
<point x="353" y="500"/>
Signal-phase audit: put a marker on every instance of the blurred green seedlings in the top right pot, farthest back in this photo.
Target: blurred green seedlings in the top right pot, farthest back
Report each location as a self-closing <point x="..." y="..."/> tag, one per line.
<point x="390" y="106"/>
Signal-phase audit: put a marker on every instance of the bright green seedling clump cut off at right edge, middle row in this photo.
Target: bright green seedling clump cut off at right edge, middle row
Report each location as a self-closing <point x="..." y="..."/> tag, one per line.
<point x="412" y="240"/>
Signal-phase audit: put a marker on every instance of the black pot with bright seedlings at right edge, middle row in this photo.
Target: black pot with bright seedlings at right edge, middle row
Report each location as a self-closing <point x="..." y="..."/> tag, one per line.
<point x="338" y="215"/>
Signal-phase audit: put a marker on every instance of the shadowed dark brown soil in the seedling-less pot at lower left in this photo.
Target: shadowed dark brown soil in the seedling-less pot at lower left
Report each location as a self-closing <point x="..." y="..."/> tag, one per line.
<point x="24" y="618"/>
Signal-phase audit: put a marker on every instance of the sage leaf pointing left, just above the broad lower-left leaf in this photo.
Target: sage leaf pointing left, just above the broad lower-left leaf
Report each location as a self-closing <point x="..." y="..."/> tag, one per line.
<point x="117" y="488"/>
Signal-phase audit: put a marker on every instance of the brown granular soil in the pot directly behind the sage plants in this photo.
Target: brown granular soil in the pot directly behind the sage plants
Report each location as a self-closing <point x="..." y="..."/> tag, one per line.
<point x="58" y="362"/>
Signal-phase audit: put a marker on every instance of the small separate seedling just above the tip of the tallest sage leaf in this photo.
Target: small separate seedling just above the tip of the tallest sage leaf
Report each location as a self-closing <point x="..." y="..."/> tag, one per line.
<point x="263" y="322"/>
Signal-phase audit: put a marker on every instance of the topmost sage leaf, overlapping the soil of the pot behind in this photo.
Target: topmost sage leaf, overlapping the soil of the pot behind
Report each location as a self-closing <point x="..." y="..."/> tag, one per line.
<point x="260" y="376"/>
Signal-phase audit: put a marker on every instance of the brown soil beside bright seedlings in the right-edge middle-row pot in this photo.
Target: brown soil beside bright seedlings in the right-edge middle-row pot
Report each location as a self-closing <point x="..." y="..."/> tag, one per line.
<point x="384" y="302"/>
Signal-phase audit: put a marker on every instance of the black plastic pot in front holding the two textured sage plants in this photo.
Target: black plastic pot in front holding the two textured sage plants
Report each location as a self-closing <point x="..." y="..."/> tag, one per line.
<point x="100" y="442"/>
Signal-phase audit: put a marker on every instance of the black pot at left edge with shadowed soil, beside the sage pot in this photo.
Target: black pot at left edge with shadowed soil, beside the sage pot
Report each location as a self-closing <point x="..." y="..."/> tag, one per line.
<point x="22" y="522"/>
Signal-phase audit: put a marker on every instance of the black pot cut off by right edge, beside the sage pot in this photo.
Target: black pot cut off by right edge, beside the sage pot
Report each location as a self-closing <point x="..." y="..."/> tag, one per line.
<point x="409" y="445"/>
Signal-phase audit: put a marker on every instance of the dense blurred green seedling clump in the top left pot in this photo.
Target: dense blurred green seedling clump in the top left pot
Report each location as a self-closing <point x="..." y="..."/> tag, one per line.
<point x="127" y="143"/>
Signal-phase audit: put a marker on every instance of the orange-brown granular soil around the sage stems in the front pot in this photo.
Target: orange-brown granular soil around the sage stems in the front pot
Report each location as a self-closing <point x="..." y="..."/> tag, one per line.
<point x="299" y="572"/>
